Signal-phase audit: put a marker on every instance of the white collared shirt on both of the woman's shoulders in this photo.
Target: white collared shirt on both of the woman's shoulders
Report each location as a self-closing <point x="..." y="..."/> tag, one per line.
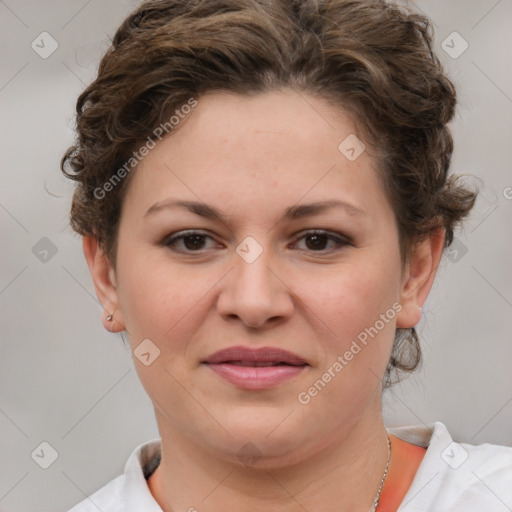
<point x="452" y="477"/>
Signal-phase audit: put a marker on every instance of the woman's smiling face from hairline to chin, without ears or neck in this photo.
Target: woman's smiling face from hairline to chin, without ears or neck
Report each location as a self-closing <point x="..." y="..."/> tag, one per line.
<point x="257" y="277"/>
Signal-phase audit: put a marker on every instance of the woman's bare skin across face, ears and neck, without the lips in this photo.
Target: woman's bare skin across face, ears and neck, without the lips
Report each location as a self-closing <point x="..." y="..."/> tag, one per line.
<point x="251" y="158"/>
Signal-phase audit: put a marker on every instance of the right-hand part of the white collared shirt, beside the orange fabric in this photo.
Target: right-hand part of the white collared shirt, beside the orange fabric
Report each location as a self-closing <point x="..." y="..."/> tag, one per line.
<point x="457" y="476"/>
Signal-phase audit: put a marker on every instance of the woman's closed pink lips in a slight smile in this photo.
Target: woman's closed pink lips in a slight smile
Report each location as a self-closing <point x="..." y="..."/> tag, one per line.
<point x="261" y="368"/>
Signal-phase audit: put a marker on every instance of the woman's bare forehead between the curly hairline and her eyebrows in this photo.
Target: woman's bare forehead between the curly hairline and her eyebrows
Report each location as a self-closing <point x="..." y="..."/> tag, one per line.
<point x="253" y="152"/>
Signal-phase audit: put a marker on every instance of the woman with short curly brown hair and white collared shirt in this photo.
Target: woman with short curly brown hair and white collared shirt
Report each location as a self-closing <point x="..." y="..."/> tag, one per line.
<point x="264" y="199"/>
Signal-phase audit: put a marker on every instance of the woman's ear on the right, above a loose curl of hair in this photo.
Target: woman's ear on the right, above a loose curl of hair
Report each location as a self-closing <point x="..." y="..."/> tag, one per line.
<point x="418" y="277"/>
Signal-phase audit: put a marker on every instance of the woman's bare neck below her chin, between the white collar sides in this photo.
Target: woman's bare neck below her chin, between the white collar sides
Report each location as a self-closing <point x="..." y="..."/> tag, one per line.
<point x="343" y="475"/>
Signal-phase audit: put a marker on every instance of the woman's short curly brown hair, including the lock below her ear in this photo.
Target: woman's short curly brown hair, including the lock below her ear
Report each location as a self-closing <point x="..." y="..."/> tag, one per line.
<point x="372" y="58"/>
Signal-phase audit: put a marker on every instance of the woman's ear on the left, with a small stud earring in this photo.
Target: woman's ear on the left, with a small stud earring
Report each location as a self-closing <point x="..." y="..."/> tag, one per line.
<point x="104" y="279"/>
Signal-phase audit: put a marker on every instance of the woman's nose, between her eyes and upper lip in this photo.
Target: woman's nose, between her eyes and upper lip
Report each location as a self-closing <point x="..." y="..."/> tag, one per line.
<point x="255" y="292"/>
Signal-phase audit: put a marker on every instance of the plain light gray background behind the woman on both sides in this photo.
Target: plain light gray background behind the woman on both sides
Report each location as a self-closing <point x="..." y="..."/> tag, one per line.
<point x="66" y="381"/>
